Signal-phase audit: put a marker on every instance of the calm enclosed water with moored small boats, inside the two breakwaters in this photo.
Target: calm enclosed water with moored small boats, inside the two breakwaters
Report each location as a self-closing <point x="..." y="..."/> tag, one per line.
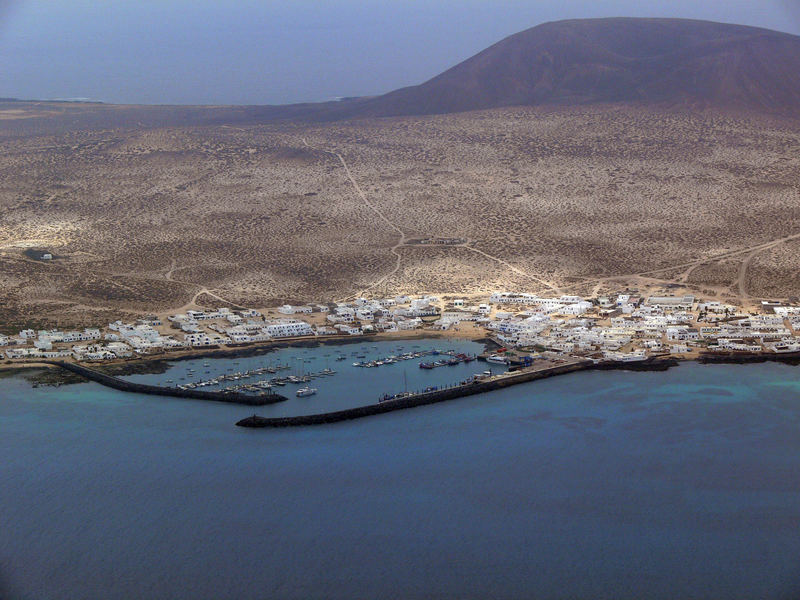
<point x="348" y="385"/>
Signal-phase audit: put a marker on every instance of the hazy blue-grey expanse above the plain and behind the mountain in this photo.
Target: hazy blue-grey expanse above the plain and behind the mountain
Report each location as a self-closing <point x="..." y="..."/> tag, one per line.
<point x="272" y="52"/>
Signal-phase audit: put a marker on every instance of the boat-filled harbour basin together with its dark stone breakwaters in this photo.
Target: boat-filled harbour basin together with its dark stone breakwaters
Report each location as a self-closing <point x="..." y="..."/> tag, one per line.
<point x="312" y="395"/>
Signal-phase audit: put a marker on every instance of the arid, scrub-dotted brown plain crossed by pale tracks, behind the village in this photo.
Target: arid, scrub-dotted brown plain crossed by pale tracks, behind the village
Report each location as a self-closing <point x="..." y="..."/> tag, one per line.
<point x="158" y="213"/>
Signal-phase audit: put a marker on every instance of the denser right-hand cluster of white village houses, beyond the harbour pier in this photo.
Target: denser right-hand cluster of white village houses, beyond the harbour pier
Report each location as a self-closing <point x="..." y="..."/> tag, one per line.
<point x="629" y="327"/>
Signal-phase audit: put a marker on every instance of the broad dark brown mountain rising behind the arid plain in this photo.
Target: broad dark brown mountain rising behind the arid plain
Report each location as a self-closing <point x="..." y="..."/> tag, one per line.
<point x="651" y="61"/>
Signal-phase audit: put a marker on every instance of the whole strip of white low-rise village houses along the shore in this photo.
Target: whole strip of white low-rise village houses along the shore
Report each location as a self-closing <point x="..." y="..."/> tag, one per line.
<point x="625" y="327"/>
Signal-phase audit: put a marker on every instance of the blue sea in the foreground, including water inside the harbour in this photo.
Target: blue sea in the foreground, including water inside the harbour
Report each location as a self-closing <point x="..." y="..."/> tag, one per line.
<point x="677" y="484"/>
